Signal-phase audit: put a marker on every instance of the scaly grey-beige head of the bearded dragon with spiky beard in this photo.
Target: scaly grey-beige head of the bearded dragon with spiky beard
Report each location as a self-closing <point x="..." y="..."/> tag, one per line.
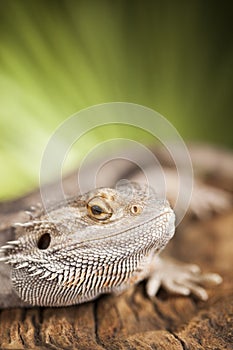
<point x="60" y="257"/>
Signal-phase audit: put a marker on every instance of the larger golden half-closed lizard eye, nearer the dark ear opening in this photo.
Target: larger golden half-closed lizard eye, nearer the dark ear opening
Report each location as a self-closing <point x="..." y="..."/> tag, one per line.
<point x="98" y="209"/>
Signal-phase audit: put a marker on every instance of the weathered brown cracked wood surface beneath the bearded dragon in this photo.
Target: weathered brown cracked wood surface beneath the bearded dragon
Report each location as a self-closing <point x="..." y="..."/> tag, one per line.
<point x="132" y="321"/>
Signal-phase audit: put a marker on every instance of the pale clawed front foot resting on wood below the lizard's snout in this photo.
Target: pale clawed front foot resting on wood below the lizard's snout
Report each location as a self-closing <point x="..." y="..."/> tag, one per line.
<point x="178" y="278"/>
